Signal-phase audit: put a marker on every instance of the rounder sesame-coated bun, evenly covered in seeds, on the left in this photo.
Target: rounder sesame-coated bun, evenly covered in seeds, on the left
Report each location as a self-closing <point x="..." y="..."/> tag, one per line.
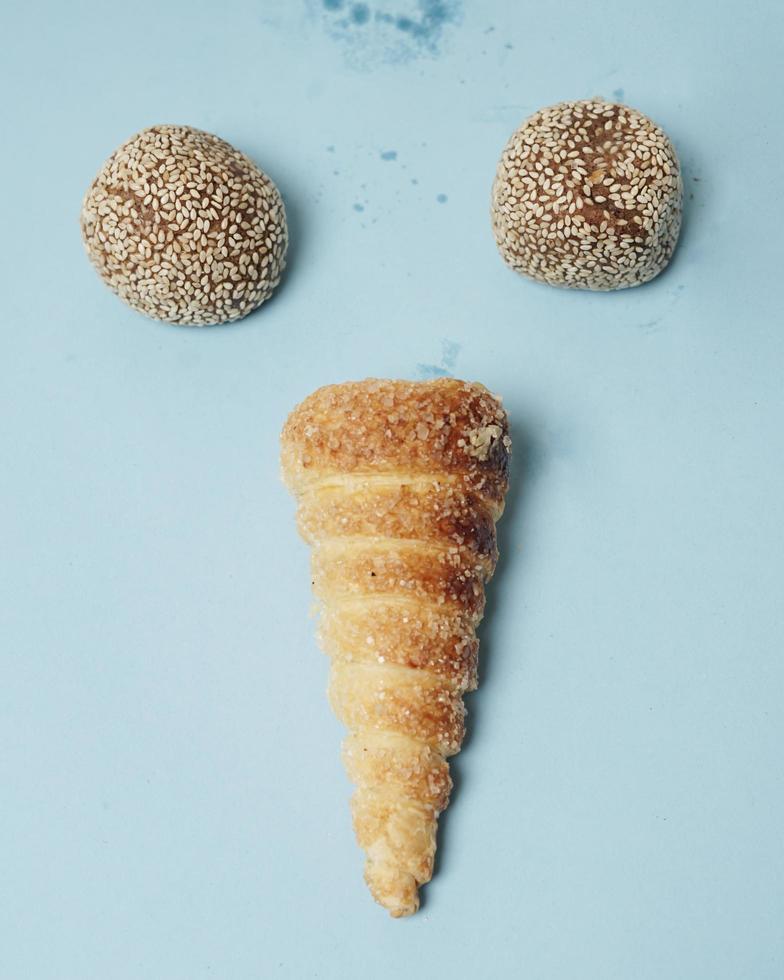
<point x="185" y="228"/>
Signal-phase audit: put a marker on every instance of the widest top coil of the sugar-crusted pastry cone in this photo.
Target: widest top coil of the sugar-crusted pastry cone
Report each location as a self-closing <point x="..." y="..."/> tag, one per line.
<point x="437" y="427"/>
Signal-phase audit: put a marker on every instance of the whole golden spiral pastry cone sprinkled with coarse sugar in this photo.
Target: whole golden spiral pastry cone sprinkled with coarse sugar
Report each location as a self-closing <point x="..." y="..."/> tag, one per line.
<point x="399" y="485"/>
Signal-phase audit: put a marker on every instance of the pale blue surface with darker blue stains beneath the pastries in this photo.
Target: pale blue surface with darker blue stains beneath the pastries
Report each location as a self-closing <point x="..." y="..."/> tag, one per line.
<point x="173" y="804"/>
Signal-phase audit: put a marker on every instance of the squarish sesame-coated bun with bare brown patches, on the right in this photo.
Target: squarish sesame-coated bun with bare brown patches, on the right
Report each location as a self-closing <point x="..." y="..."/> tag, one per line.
<point x="587" y="195"/>
